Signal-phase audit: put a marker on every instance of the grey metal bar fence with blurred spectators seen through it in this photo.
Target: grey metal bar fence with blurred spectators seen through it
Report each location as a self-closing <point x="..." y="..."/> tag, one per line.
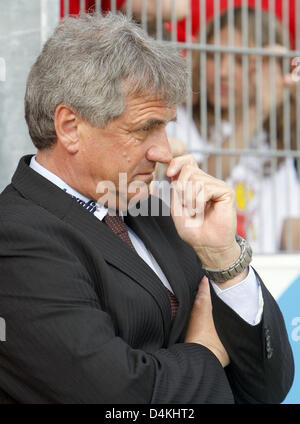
<point x="240" y="121"/>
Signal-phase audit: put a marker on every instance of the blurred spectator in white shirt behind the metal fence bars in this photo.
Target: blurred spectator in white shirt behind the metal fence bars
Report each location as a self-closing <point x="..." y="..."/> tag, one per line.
<point x="260" y="189"/>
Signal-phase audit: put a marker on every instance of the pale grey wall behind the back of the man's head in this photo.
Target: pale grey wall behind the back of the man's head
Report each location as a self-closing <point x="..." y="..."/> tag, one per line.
<point x="24" y="27"/>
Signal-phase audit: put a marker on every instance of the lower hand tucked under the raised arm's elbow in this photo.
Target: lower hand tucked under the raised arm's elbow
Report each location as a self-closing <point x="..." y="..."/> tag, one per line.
<point x="201" y="328"/>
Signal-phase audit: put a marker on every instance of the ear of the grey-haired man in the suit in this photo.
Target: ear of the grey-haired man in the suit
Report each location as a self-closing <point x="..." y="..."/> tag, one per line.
<point x="66" y="125"/>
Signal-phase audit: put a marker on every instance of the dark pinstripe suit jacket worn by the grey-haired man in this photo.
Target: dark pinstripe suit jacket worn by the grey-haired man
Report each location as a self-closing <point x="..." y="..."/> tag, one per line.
<point x="87" y="321"/>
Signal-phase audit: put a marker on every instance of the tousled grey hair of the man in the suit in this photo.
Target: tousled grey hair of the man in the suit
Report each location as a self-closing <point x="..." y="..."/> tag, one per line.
<point x="91" y="64"/>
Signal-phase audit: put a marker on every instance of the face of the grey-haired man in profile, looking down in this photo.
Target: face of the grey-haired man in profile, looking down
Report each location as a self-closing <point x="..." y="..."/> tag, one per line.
<point x="130" y="144"/>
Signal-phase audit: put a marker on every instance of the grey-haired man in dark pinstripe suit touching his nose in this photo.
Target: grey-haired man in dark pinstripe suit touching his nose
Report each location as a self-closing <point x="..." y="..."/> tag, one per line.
<point x="104" y="307"/>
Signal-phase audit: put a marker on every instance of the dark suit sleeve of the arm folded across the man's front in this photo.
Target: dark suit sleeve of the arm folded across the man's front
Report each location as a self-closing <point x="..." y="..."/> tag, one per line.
<point x="62" y="347"/>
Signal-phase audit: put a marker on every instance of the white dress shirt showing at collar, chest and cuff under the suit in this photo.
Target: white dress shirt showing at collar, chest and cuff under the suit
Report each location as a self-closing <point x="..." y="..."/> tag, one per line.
<point x="244" y="298"/>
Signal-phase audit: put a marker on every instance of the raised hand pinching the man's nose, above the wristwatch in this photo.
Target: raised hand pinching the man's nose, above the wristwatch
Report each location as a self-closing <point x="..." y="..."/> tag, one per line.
<point x="204" y="212"/>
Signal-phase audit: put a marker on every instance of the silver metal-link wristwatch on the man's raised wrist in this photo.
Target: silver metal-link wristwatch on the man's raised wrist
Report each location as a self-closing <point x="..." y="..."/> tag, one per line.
<point x="239" y="266"/>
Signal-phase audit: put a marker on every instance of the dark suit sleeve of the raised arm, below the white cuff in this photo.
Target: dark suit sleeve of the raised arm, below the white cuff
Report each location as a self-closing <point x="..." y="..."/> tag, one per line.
<point x="262" y="366"/>
